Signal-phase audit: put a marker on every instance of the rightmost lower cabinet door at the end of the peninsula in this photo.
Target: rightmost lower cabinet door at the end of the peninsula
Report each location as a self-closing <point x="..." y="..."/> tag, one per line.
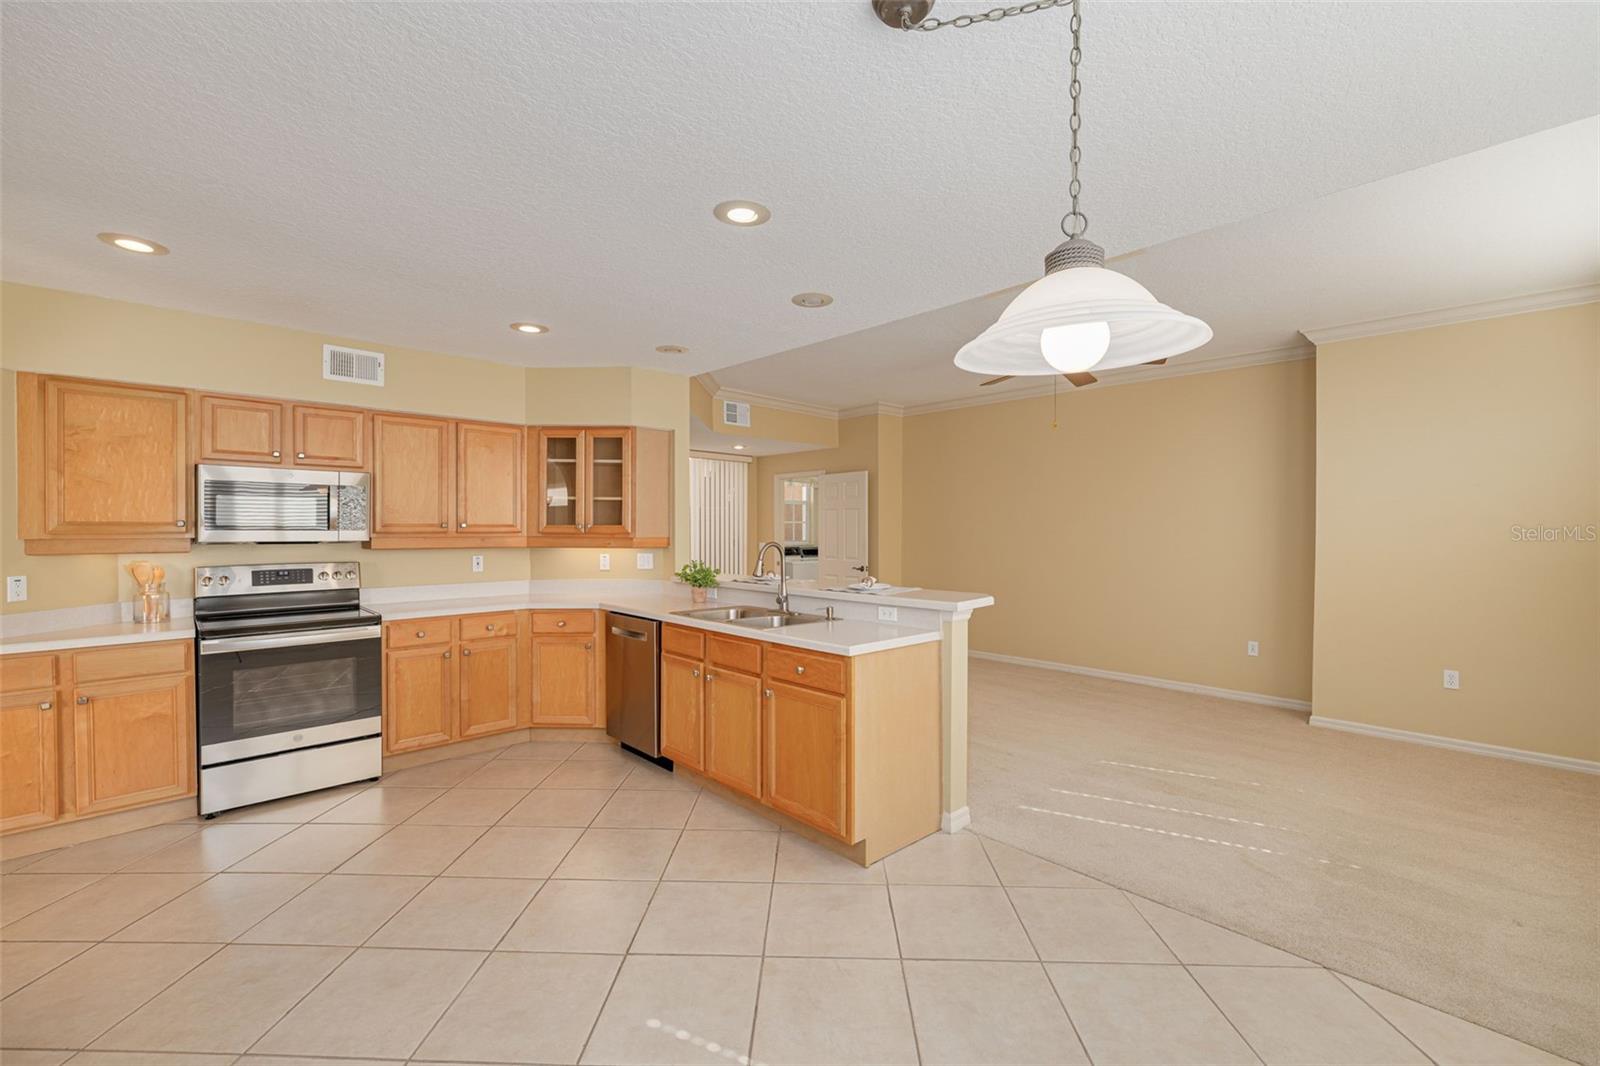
<point x="806" y="753"/>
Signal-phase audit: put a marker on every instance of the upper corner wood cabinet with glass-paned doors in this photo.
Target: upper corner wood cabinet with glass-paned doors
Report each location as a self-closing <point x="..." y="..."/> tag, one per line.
<point x="601" y="487"/>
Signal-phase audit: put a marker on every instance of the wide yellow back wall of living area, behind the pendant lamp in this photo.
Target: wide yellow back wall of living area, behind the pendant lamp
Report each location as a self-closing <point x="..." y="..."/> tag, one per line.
<point x="1156" y="532"/>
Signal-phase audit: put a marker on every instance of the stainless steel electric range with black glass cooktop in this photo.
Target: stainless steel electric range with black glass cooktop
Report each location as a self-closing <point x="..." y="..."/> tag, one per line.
<point x="290" y="683"/>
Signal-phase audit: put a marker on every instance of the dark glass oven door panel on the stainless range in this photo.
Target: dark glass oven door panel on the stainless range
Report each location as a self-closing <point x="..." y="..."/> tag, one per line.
<point x="286" y="691"/>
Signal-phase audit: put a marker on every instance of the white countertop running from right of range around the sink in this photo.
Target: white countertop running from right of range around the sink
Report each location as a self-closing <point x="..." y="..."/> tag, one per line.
<point x="833" y="638"/>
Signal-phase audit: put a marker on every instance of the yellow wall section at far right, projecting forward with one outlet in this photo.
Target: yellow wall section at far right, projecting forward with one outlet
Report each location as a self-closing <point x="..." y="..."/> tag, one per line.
<point x="1434" y="449"/>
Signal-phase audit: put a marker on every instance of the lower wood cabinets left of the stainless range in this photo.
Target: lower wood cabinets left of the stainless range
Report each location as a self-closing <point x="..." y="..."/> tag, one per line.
<point x="95" y="731"/>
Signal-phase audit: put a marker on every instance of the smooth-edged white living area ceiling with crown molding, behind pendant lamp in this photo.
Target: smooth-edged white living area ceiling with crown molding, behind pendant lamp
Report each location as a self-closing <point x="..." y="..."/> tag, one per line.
<point x="1506" y="222"/>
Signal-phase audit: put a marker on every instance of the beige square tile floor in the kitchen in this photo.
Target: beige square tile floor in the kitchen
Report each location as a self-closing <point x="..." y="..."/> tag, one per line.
<point x="566" y="904"/>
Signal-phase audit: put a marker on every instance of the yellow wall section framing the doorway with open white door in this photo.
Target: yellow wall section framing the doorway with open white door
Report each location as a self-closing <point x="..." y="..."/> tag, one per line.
<point x="873" y="444"/>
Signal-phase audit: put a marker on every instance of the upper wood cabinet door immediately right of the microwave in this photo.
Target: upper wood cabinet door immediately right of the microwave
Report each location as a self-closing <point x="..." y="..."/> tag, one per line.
<point x="414" y="476"/>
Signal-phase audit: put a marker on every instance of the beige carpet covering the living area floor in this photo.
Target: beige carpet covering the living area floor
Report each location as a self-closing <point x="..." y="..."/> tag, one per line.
<point x="1466" y="883"/>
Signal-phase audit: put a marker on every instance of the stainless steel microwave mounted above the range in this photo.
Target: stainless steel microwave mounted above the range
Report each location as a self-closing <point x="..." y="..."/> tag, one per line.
<point x="260" y="505"/>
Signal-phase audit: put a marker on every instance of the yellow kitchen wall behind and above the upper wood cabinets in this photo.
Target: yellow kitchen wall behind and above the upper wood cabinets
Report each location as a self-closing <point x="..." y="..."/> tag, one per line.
<point x="55" y="332"/>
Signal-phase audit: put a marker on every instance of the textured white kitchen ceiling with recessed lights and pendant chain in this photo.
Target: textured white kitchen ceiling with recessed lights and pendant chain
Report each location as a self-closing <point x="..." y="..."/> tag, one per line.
<point x="426" y="174"/>
